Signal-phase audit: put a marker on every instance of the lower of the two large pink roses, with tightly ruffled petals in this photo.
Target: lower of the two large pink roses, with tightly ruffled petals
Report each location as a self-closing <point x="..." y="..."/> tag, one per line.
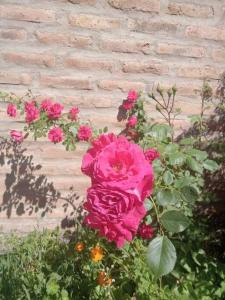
<point x="115" y="213"/>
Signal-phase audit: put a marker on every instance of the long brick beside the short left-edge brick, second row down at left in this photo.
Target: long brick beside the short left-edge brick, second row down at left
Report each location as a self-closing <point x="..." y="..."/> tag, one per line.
<point x="63" y="39"/>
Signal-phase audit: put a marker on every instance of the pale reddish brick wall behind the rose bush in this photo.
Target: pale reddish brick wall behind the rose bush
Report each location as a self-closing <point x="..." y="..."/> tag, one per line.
<point x="90" y="53"/>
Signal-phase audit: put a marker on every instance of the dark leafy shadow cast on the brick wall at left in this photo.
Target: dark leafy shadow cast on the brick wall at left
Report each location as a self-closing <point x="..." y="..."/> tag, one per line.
<point x="27" y="193"/>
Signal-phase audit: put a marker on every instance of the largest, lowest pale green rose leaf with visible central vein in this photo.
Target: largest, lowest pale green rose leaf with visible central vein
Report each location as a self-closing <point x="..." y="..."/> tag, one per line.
<point x="161" y="256"/>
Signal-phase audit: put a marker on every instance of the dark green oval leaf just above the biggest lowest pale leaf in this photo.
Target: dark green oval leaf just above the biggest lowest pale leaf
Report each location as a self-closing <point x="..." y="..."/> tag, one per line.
<point x="174" y="221"/>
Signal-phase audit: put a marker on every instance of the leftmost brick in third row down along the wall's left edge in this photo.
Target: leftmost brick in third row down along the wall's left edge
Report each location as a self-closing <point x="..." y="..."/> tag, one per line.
<point x="23" y="58"/>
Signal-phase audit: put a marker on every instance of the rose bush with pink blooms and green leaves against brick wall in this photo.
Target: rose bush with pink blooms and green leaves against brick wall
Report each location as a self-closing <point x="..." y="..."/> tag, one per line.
<point x="144" y="185"/>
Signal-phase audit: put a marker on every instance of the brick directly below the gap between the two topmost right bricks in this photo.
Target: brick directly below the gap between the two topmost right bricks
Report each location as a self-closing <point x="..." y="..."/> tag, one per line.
<point x="152" y="26"/>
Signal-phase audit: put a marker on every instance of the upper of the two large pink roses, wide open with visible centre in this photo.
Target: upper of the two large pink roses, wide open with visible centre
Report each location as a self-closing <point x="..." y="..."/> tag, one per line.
<point x="118" y="163"/>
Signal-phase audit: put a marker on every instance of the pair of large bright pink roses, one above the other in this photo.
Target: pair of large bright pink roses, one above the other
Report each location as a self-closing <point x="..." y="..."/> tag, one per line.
<point x="121" y="180"/>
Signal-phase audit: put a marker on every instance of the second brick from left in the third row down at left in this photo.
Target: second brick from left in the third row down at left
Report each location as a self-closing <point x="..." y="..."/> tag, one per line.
<point x="89" y="63"/>
